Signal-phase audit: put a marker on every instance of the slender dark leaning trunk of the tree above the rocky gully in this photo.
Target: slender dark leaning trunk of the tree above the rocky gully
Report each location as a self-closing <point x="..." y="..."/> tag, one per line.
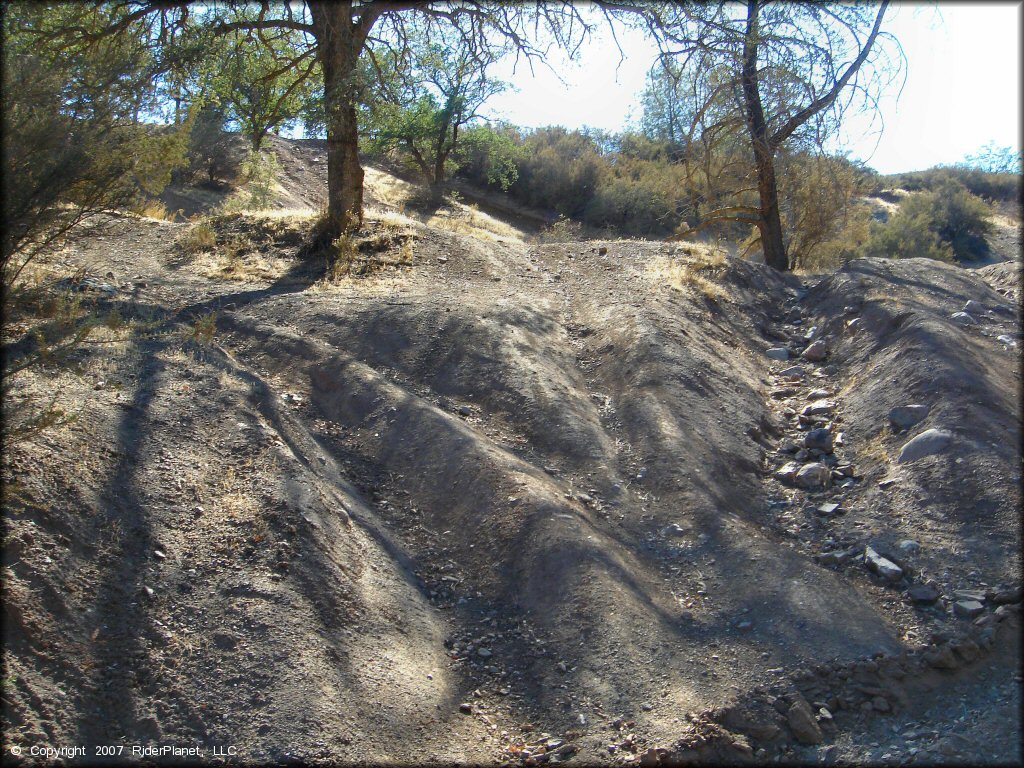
<point x="770" y="223"/>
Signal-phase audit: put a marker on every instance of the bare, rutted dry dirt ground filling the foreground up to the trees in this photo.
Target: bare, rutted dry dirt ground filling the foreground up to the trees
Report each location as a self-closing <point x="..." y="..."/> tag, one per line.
<point x="495" y="501"/>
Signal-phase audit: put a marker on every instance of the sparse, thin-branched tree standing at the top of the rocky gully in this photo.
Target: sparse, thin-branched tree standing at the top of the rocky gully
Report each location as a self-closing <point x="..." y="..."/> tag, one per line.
<point x="793" y="70"/>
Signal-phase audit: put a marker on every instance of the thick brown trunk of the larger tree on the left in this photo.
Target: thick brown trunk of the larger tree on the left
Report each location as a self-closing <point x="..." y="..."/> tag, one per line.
<point x="339" y="44"/>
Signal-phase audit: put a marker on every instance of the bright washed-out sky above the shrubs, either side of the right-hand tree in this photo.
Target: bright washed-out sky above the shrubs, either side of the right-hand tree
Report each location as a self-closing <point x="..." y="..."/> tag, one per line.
<point x="963" y="87"/>
